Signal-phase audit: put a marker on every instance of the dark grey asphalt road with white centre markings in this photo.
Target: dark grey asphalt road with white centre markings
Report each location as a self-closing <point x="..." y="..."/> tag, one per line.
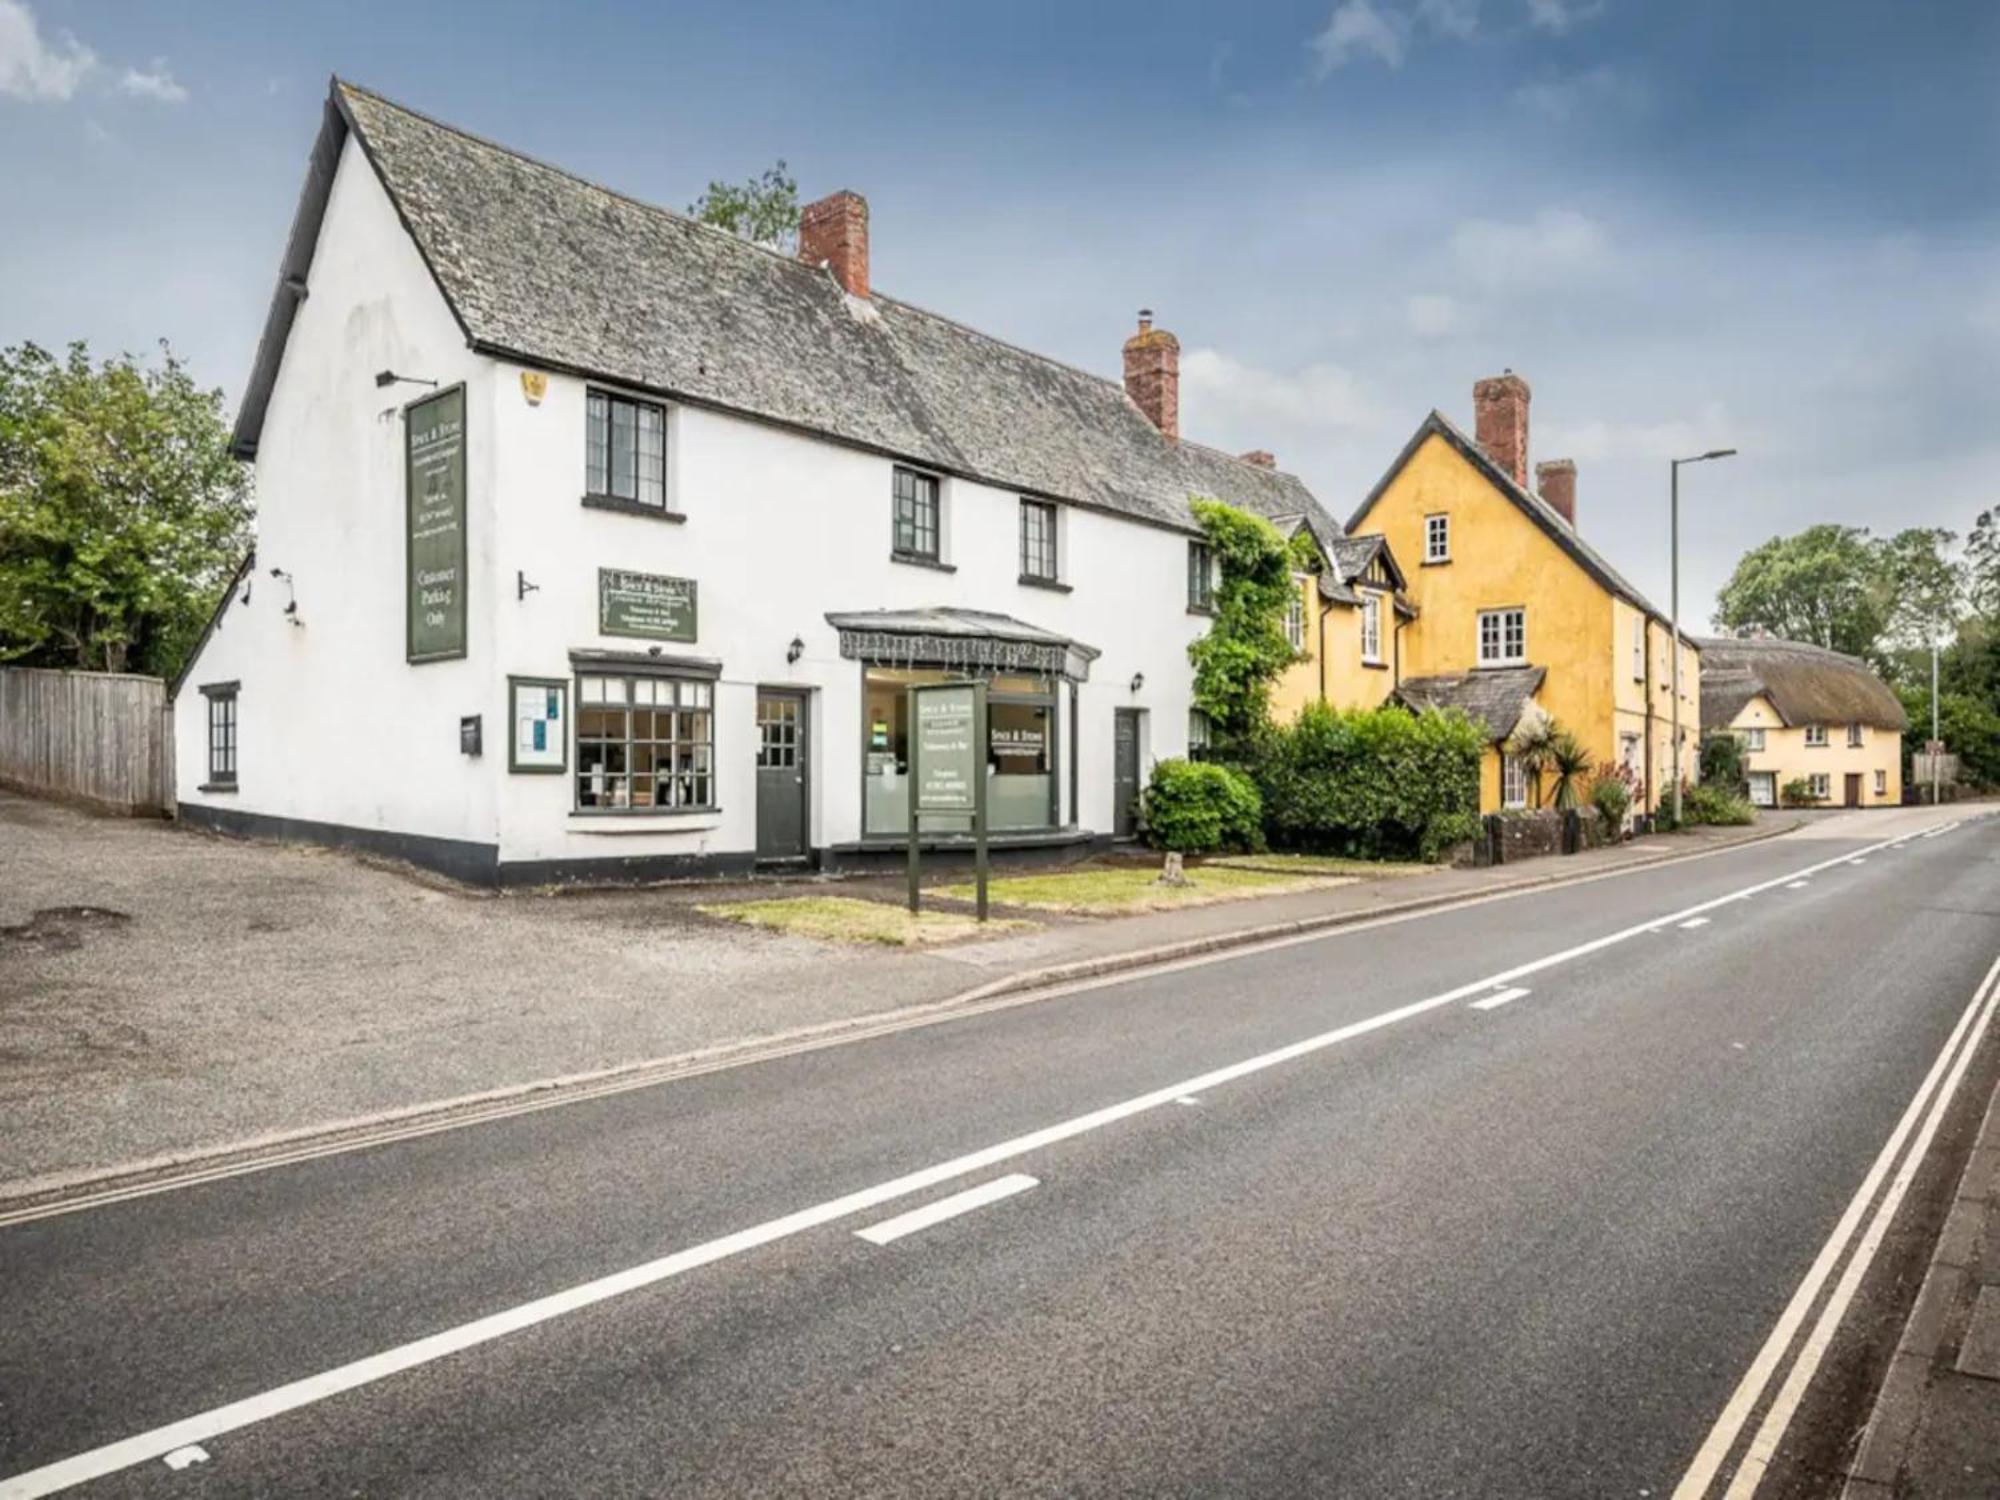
<point x="1499" y="1201"/>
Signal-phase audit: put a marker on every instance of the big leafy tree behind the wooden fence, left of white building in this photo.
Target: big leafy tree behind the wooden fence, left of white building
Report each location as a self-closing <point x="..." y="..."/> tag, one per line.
<point x="121" y="511"/>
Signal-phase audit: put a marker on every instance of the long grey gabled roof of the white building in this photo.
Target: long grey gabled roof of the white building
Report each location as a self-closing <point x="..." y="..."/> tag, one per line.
<point x="553" y="271"/>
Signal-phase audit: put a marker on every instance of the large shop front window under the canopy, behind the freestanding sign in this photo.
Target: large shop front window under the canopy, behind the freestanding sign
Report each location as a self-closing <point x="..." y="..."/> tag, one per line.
<point x="1021" y="753"/>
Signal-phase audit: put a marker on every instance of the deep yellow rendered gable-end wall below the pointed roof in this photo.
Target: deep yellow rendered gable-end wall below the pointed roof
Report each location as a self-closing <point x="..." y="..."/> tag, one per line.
<point x="1499" y="559"/>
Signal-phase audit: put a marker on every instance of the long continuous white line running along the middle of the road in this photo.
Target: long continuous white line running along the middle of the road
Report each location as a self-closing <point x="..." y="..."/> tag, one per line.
<point x="143" y="1447"/>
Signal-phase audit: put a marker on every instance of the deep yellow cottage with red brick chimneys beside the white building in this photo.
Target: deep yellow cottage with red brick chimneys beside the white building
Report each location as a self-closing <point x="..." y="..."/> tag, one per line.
<point x="1493" y="603"/>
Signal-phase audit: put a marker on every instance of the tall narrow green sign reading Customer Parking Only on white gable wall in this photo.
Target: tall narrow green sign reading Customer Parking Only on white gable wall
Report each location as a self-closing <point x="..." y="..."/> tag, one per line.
<point x="435" y="513"/>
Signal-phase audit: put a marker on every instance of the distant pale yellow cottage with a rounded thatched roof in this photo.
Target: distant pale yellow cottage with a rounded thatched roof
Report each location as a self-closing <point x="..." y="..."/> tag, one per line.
<point x="1807" y="717"/>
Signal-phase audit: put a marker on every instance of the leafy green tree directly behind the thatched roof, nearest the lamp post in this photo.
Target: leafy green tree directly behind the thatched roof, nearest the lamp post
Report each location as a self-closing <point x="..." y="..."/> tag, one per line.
<point x="1821" y="587"/>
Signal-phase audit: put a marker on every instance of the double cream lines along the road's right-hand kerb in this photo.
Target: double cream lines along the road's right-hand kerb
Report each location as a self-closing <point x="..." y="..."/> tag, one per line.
<point x="1757" y="1379"/>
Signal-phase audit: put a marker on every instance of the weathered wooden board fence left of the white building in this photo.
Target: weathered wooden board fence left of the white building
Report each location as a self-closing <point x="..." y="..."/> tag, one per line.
<point x="105" y="739"/>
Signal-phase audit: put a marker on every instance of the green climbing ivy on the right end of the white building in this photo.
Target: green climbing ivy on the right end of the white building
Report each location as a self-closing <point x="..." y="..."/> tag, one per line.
<point x="1245" y="649"/>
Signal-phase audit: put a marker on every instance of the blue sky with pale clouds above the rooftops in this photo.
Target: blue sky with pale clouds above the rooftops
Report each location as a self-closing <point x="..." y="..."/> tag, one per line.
<point x="1769" y="225"/>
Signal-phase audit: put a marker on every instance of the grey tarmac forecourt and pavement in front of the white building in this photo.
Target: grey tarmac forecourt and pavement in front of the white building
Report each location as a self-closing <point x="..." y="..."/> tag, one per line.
<point x="169" y="995"/>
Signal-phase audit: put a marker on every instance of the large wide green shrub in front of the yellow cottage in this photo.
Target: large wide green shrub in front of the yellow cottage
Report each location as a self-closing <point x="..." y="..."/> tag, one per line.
<point x="1377" y="783"/>
